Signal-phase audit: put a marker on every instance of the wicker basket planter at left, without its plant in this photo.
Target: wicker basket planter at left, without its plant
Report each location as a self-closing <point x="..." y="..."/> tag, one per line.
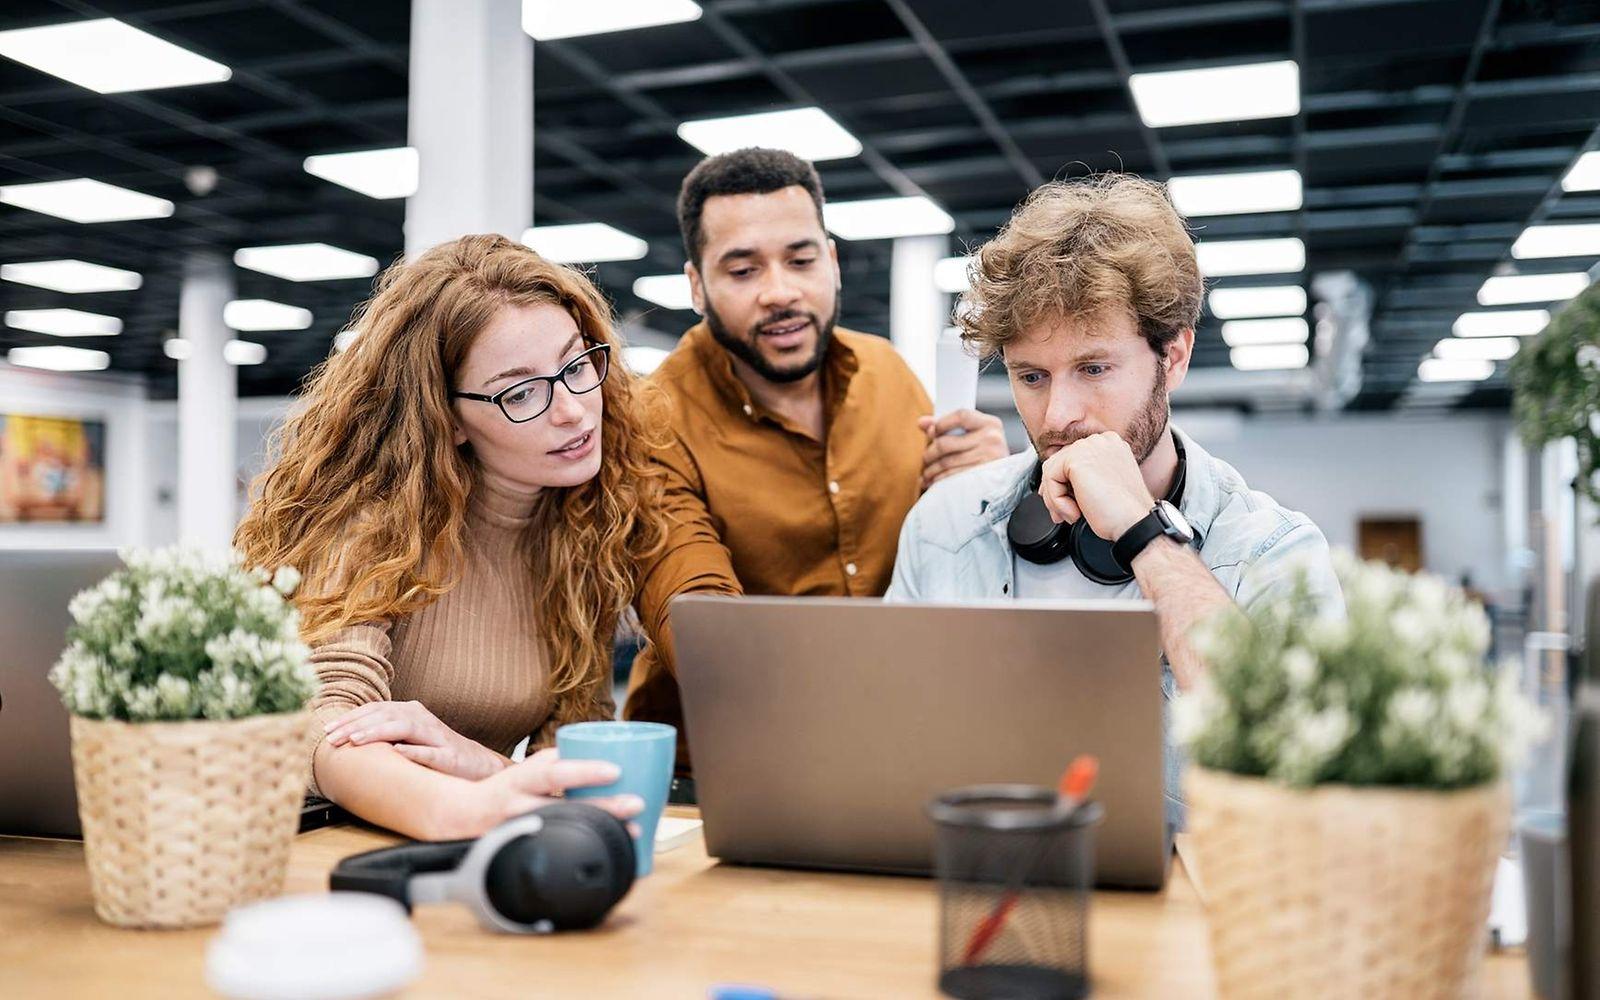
<point x="186" y="820"/>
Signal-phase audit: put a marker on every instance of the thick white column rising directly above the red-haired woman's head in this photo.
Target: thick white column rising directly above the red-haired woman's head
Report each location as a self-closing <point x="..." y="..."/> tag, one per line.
<point x="471" y="121"/>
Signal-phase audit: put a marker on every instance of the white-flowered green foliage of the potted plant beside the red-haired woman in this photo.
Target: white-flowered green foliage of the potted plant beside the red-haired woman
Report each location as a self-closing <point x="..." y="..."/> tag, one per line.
<point x="185" y="634"/>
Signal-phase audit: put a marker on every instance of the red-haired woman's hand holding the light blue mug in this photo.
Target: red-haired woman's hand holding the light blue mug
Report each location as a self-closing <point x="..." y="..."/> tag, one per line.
<point x="521" y="788"/>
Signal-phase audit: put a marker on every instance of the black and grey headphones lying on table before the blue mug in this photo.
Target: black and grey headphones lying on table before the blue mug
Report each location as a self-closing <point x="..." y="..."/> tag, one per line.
<point x="559" y="868"/>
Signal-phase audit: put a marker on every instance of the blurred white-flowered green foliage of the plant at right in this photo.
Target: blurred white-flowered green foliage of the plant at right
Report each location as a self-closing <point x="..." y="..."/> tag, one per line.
<point x="1394" y="694"/>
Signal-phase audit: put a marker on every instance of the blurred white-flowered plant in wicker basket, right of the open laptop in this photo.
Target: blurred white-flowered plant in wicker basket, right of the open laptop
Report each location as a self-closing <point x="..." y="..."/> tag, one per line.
<point x="1348" y="790"/>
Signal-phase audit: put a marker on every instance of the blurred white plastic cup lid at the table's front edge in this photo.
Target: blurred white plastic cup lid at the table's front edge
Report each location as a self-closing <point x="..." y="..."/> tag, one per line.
<point x="335" y="946"/>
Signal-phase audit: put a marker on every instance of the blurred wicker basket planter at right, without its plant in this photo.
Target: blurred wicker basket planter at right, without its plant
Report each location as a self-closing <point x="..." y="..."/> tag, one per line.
<point x="1343" y="892"/>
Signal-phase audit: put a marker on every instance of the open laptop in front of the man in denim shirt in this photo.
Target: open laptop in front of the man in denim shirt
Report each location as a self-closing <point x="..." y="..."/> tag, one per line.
<point x="822" y="727"/>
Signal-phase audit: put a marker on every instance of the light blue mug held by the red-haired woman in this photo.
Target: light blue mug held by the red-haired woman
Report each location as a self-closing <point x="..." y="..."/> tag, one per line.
<point x="646" y="751"/>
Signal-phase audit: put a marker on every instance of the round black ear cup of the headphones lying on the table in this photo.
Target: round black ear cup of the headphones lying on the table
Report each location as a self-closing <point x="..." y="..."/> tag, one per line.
<point x="572" y="873"/>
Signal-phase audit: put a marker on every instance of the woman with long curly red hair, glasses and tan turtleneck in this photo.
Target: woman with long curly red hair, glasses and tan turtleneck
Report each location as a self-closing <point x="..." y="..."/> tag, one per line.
<point x="468" y="494"/>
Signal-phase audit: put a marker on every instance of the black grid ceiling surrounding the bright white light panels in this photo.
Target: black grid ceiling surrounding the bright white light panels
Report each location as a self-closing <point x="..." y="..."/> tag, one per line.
<point x="1426" y="145"/>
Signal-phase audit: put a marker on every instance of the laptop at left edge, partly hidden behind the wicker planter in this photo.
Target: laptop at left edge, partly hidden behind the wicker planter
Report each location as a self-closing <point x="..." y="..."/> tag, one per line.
<point x="38" y="793"/>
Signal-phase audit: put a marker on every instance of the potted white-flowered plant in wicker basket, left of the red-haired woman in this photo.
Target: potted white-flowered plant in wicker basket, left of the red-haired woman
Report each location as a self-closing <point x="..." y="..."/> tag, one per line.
<point x="188" y="687"/>
